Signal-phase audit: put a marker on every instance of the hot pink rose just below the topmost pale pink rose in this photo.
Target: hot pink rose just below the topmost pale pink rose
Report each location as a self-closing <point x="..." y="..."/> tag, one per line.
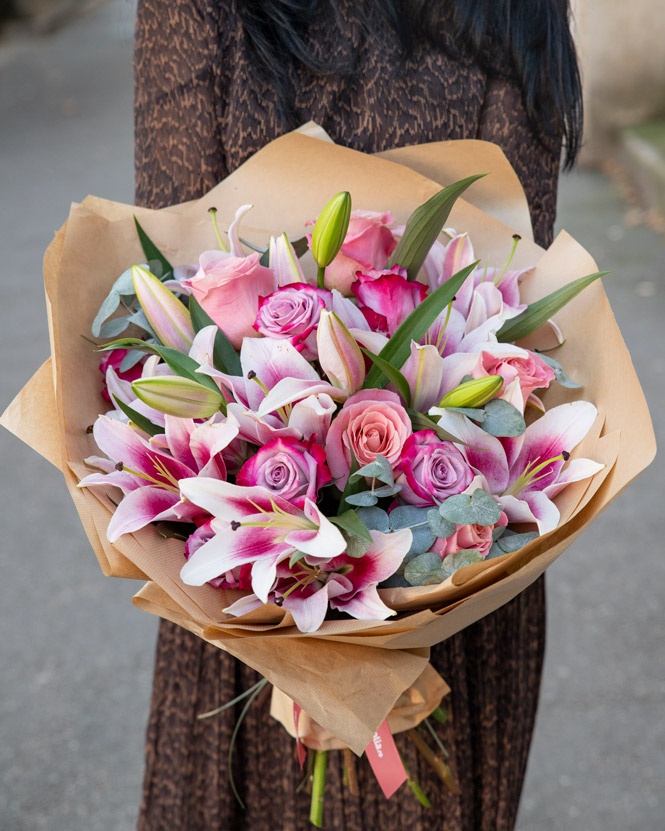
<point x="387" y="299"/>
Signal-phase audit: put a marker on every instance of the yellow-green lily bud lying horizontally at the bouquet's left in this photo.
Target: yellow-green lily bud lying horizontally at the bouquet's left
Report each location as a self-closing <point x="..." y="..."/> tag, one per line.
<point x="176" y="396"/>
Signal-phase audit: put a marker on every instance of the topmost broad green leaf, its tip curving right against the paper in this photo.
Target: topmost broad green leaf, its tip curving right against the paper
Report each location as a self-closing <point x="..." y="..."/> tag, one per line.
<point x="424" y="226"/>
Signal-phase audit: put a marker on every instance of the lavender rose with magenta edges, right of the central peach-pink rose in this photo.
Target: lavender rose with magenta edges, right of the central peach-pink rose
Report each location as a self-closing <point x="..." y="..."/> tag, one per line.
<point x="431" y="470"/>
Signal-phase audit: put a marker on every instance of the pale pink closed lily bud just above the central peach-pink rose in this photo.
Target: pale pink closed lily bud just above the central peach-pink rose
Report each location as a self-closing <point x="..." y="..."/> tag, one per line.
<point x="339" y="355"/>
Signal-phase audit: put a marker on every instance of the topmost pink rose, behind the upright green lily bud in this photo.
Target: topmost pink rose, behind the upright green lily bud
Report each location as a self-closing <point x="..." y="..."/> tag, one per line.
<point x="367" y="245"/>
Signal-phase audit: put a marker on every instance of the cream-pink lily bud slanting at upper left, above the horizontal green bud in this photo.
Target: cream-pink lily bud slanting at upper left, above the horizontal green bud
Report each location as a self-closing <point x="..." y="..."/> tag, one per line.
<point x="168" y="316"/>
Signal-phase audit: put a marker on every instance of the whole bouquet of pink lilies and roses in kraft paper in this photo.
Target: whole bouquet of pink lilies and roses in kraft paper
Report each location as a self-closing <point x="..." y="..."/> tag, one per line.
<point x="322" y="445"/>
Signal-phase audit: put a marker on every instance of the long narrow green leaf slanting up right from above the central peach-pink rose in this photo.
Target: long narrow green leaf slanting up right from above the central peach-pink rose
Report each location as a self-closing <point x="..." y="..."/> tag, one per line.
<point x="398" y="348"/>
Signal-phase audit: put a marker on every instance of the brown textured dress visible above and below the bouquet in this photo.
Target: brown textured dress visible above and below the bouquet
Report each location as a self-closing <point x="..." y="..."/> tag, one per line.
<point x="199" y="114"/>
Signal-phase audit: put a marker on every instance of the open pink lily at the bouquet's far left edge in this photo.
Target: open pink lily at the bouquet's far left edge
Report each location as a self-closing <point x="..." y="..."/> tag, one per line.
<point x="148" y="471"/>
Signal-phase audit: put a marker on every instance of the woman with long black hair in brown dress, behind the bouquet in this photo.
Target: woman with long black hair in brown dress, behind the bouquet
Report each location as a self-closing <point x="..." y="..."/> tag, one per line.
<point x="215" y="81"/>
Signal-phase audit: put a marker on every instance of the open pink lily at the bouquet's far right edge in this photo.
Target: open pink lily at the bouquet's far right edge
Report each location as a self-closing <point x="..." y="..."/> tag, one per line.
<point x="526" y="473"/>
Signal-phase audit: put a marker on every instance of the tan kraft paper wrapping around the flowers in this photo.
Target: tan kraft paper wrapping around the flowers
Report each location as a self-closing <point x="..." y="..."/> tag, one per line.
<point x="348" y="675"/>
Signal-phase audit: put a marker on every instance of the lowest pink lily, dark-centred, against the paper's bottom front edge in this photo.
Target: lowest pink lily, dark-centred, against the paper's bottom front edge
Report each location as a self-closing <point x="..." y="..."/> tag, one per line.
<point x="348" y="584"/>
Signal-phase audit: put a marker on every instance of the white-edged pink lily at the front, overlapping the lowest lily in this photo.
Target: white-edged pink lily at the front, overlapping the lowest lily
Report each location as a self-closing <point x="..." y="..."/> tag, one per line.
<point x="252" y="525"/>
